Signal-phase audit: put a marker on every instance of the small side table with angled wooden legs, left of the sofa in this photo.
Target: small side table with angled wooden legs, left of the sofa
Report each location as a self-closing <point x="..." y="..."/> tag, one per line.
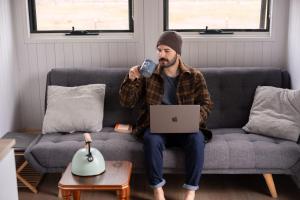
<point x="26" y="176"/>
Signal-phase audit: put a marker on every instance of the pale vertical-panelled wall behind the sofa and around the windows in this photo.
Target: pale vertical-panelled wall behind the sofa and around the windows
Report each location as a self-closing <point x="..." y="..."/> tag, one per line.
<point x="36" y="58"/>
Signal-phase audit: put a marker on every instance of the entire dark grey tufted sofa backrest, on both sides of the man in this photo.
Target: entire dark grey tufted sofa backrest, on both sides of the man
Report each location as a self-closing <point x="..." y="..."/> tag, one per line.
<point x="232" y="91"/>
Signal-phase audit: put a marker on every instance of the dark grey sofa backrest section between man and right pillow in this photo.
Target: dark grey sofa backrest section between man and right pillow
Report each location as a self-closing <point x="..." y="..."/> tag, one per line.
<point x="232" y="91"/>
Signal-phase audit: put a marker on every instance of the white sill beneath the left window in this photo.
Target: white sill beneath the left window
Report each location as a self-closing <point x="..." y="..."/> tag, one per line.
<point x="62" y="38"/>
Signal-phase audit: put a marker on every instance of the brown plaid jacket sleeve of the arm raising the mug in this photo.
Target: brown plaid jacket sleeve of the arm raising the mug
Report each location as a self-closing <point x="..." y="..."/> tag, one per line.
<point x="130" y="91"/>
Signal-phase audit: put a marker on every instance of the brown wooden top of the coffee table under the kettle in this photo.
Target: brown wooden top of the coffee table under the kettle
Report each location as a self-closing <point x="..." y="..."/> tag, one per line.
<point x="117" y="175"/>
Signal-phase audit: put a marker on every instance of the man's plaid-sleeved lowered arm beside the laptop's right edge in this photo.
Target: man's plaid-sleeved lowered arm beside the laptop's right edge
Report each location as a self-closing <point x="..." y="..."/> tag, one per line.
<point x="203" y="98"/>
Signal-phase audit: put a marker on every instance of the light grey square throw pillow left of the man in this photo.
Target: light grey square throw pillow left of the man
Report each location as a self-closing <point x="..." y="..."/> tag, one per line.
<point x="71" y="109"/>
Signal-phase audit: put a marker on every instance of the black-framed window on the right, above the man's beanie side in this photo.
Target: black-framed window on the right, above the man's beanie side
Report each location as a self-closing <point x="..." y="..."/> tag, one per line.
<point x="231" y="15"/>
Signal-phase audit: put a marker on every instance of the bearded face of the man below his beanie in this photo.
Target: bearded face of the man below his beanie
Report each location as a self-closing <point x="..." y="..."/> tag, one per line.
<point x="166" y="56"/>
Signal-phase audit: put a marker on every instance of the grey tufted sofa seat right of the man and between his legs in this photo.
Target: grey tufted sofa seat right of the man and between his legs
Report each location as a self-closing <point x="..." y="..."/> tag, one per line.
<point x="234" y="149"/>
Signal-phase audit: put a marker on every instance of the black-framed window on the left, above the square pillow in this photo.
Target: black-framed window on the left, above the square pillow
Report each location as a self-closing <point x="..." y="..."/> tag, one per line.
<point x="93" y="15"/>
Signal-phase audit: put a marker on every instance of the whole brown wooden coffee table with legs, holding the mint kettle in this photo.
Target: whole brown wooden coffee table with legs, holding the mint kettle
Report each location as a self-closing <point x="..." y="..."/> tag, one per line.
<point x="116" y="177"/>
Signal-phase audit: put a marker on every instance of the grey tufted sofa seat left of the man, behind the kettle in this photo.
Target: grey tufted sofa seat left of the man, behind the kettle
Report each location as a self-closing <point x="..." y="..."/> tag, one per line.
<point x="54" y="151"/>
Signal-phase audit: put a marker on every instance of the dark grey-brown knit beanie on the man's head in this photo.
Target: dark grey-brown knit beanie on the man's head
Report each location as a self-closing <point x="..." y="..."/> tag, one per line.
<point x="171" y="39"/>
